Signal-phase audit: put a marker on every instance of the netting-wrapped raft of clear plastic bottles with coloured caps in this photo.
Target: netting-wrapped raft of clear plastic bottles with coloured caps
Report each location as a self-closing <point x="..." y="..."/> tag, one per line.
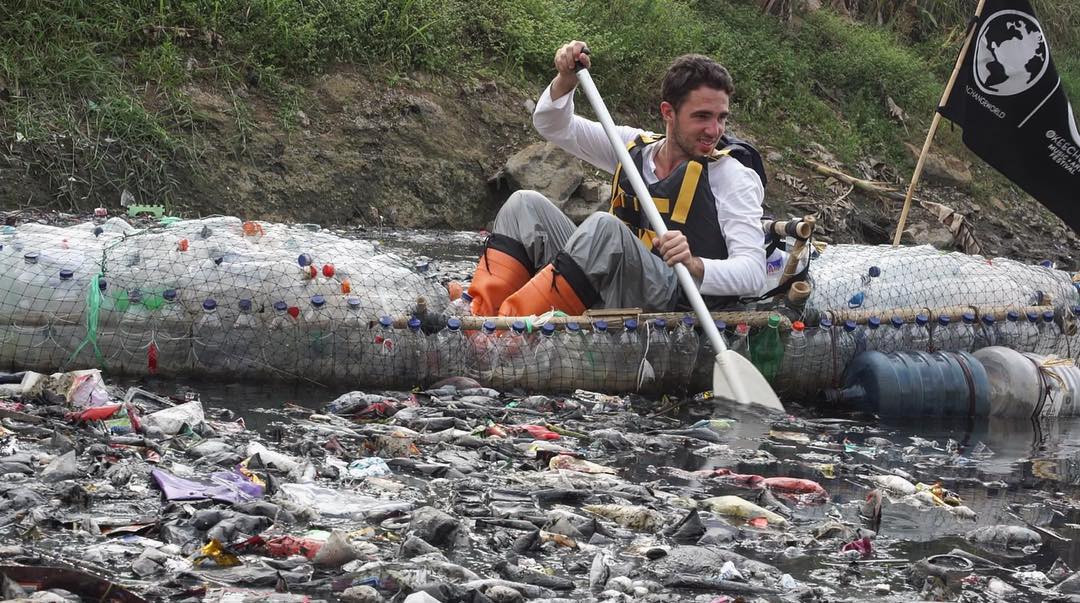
<point x="244" y="300"/>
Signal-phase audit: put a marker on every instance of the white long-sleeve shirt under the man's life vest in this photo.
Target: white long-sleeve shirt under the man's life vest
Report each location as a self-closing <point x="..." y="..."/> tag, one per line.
<point x="738" y="192"/>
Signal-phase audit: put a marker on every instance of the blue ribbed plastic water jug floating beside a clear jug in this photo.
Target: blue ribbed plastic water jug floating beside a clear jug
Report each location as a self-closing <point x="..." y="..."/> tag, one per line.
<point x="915" y="384"/>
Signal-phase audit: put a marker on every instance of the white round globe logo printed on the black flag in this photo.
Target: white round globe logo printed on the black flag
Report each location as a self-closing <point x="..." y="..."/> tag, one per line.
<point x="1011" y="55"/>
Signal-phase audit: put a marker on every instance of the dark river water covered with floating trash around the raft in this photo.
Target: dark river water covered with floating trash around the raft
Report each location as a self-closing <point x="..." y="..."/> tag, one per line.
<point x="462" y="493"/>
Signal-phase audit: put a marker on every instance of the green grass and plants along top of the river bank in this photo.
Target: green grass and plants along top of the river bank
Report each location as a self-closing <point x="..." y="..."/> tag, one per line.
<point x="100" y="90"/>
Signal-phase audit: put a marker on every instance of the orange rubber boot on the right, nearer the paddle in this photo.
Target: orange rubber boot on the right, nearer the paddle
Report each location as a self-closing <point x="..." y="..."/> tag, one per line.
<point x="551" y="289"/>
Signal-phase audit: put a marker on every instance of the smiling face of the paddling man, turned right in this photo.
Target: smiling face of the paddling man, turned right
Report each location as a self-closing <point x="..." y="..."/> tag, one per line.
<point x="699" y="123"/>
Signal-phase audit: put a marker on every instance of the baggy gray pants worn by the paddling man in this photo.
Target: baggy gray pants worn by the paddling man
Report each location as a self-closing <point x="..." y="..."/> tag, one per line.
<point x="619" y="267"/>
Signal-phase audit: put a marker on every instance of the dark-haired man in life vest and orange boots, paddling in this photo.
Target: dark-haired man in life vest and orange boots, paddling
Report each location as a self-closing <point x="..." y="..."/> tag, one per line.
<point x="536" y="261"/>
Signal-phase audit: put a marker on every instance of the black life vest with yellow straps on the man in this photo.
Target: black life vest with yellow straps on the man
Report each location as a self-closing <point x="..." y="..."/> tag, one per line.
<point x="684" y="199"/>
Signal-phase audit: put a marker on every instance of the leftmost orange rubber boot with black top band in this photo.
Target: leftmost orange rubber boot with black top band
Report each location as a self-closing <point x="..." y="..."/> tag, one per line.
<point x="499" y="274"/>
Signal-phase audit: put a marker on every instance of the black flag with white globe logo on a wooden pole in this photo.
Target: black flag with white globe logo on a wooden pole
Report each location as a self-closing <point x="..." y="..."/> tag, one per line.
<point x="1015" y="114"/>
